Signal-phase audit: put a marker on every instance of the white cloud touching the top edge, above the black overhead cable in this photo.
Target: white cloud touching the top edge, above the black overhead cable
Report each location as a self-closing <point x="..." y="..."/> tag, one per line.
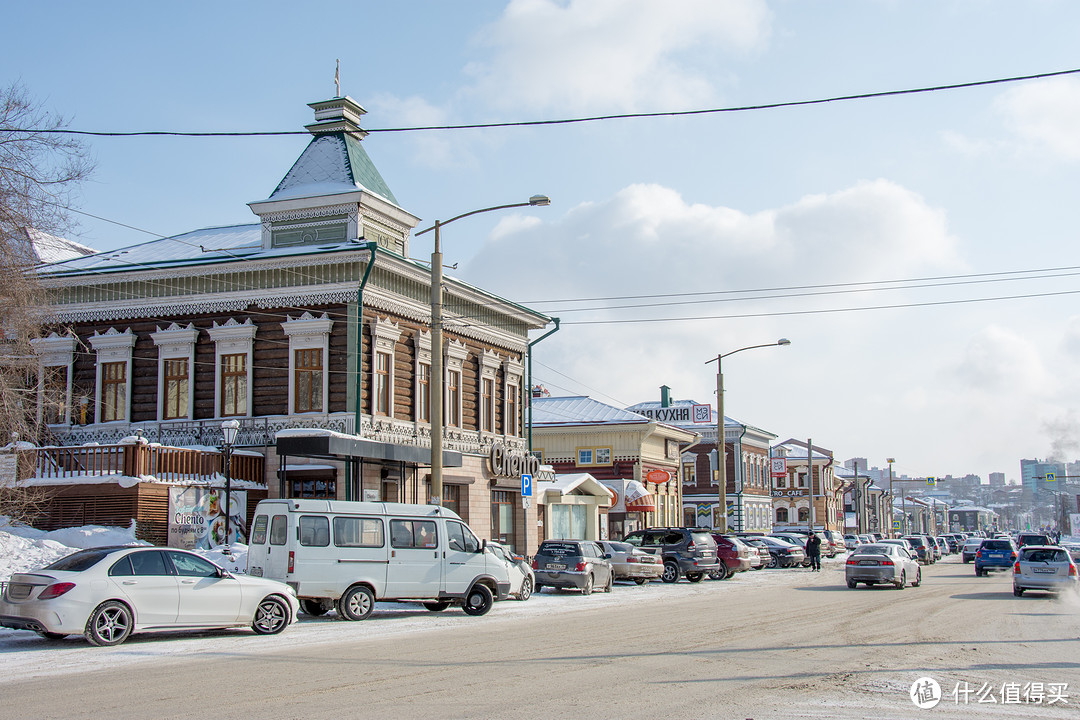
<point x="613" y="56"/>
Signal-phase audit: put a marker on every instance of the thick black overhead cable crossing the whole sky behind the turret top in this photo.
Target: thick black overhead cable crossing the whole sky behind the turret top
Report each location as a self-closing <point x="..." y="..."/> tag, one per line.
<point x="569" y="121"/>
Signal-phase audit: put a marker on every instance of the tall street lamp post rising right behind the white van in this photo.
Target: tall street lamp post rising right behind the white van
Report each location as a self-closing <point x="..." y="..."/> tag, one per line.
<point x="437" y="386"/>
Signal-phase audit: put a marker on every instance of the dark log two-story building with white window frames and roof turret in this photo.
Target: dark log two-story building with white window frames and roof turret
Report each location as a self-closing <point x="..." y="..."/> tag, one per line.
<point x="313" y="329"/>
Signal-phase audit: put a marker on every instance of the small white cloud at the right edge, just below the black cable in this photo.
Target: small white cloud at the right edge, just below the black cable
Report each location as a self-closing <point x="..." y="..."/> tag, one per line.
<point x="1045" y="116"/>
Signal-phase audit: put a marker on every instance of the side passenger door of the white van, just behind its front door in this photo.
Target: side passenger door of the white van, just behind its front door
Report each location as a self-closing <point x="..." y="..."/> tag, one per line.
<point x="415" y="569"/>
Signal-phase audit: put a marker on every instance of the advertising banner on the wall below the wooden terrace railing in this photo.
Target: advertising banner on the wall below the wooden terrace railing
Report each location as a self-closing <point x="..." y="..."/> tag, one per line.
<point x="197" y="518"/>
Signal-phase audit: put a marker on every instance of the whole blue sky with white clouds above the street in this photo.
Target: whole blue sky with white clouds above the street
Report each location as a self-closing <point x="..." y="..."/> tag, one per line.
<point x="917" y="250"/>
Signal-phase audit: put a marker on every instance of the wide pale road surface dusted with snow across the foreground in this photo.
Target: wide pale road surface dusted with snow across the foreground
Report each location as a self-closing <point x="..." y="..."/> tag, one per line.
<point x="778" y="645"/>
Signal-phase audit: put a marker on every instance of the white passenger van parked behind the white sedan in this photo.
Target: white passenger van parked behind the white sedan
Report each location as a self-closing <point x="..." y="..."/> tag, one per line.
<point x="349" y="555"/>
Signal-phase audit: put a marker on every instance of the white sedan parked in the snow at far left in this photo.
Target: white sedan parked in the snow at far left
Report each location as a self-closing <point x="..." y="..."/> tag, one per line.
<point x="110" y="593"/>
